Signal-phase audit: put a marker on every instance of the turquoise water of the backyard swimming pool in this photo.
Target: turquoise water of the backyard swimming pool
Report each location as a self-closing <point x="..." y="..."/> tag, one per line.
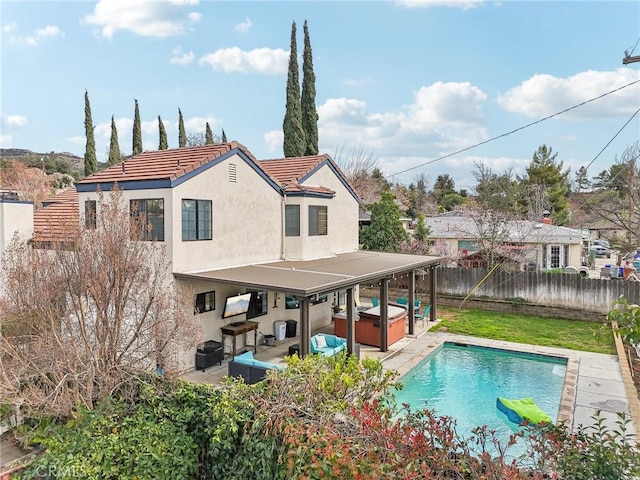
<point x="463" y="382"/>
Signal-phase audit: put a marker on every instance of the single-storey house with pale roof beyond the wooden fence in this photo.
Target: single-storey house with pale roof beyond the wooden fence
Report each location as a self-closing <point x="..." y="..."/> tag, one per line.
<point x="527" y="244"/>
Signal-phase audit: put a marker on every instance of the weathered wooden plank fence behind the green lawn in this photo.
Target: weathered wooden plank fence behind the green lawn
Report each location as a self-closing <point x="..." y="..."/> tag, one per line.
<point x="562" y="291"/>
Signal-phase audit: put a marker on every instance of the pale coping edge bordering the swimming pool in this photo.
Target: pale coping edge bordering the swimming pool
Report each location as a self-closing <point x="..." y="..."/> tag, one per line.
<point x="569" y="388"/>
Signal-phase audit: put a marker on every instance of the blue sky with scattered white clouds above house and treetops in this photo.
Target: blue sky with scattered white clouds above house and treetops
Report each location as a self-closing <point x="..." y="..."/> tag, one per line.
<point x="426" y="87"/>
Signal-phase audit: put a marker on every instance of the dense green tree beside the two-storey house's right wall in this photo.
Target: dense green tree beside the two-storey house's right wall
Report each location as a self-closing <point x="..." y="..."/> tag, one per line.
<point x="386" y="232"/>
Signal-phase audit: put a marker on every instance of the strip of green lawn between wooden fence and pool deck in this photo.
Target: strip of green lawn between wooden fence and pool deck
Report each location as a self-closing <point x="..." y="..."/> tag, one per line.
<point x="550" y="332"/>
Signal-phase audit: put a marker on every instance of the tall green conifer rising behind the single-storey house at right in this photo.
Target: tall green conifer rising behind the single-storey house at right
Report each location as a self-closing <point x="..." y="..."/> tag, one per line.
<point x="545" y="187"/>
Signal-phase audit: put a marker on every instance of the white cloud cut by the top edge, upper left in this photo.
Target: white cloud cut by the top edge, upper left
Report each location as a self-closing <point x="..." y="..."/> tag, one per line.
<point x="142" y="17"/>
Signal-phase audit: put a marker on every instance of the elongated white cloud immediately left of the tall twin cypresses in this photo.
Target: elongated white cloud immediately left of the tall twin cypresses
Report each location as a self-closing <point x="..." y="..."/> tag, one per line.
<point x="261" y="60"/>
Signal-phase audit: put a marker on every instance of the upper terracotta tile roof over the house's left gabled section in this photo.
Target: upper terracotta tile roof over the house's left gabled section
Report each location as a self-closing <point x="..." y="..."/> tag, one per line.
<point x="163" y="164"/>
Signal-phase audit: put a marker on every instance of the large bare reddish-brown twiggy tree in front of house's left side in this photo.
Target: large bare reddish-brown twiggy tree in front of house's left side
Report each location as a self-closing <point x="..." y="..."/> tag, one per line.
<point x="81" y="318"/>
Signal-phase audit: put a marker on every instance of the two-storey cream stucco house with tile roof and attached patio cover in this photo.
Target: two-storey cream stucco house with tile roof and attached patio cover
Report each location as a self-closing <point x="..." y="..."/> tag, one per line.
<point x="282" y="232"/>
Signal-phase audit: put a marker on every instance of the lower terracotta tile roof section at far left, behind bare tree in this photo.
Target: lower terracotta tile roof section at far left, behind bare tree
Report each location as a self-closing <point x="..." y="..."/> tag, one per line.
<point x="58" y="218"/>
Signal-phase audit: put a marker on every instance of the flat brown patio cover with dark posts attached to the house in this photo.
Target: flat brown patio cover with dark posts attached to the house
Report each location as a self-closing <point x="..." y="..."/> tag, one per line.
<point x="307" y="279"/>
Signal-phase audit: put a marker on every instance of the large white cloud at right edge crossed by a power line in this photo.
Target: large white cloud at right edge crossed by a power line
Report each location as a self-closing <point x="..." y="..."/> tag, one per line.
<point x="544" y="95"/>
